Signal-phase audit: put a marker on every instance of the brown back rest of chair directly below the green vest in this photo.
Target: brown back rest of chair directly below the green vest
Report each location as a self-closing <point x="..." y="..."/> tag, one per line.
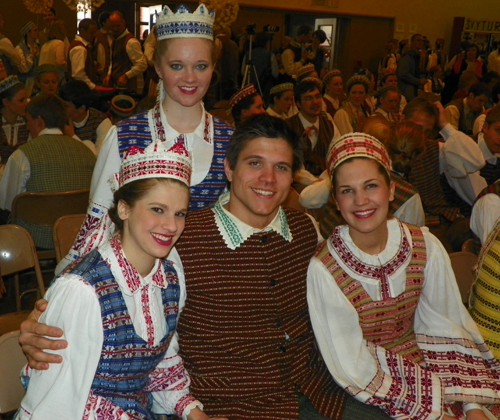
<point x="45" y="208"/>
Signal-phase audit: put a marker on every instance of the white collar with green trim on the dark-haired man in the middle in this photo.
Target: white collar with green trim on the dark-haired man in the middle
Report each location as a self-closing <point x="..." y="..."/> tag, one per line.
<point x="235" y="232"/>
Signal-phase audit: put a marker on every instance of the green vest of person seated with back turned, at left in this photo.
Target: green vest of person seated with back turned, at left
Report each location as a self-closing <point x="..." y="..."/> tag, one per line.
<point x="57" y="163"/>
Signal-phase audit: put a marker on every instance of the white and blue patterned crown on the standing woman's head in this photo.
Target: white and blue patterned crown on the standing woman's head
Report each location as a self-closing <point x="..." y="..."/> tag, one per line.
<point x="184" y="24"/>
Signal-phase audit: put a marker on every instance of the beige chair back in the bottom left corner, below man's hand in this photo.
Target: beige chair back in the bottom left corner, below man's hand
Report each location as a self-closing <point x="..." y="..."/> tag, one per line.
<point x="12" y="361"/>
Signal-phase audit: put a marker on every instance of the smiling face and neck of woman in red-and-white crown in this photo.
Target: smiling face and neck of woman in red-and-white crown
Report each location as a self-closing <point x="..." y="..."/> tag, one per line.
<point x="152" y="225"/>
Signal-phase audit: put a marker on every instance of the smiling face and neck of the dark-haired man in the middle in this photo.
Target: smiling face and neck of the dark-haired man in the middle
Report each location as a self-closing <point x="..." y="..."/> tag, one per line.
<point x="260" y="180"/>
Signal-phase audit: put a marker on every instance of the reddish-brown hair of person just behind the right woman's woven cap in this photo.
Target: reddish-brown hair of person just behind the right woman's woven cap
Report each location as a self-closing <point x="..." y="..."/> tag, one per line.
<point x="406" y="142"/>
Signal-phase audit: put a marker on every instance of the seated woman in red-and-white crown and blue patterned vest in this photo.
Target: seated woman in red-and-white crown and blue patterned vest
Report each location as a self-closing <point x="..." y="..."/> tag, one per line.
<point x="119" y="305"/>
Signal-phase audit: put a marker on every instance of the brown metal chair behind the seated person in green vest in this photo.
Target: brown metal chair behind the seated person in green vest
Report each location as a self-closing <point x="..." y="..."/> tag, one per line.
<point x="39" y="211"/>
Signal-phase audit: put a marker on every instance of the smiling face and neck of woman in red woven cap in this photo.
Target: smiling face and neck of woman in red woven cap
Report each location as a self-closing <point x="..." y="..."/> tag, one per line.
<point x="363" y="194"/>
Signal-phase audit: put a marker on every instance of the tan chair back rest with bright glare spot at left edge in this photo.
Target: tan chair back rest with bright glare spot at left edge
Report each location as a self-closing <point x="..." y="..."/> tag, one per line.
<point x="17" y="250"/>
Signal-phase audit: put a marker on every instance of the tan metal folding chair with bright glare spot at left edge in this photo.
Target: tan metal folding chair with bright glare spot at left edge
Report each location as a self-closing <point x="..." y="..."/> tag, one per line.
<point x="18" y="253"/>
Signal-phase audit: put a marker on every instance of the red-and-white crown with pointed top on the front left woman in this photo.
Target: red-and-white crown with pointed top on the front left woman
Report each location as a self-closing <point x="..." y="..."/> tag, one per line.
<point x="155" y="161"/>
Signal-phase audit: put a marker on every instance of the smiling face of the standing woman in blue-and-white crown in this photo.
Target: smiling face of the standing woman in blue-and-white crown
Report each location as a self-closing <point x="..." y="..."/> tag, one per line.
<point x="186" y="67"/>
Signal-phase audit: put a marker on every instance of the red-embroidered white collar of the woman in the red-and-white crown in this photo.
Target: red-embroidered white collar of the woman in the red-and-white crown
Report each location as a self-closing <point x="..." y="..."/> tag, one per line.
<point x="125" y="274"/>
